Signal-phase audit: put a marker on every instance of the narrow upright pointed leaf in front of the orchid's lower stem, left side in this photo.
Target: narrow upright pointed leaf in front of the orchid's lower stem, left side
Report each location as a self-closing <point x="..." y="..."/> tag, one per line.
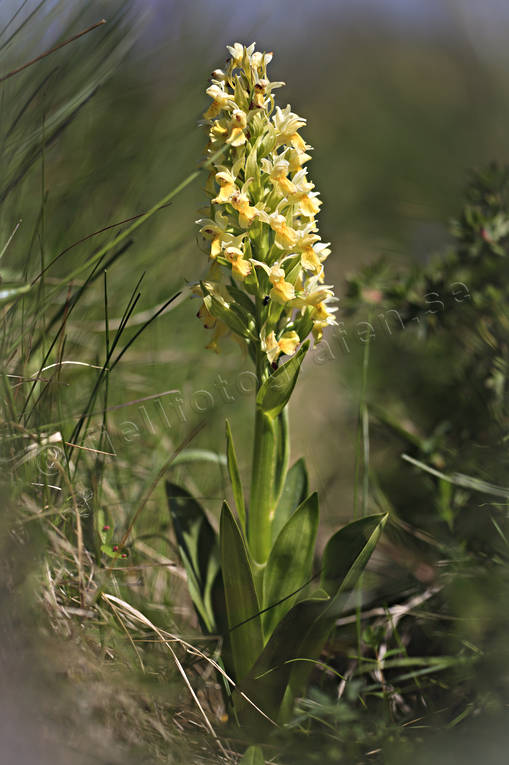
<point x="242" y="605"/>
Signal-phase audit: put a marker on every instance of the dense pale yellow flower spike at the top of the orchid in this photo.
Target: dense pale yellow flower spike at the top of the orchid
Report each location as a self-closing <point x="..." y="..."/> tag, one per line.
<point x="261" y="223"/>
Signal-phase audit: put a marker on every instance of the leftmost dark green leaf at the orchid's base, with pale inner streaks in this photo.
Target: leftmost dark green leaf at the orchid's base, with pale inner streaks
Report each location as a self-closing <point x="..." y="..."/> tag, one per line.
<point x="198" y="549"/>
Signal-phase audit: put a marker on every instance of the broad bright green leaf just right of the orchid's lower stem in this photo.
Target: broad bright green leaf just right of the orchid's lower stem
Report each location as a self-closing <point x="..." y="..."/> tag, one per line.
<point x="290" y="563"/>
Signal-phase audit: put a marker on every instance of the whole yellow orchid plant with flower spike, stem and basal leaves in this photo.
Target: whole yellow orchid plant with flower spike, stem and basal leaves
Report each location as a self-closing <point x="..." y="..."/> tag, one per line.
<point x="265" y="287"/>
